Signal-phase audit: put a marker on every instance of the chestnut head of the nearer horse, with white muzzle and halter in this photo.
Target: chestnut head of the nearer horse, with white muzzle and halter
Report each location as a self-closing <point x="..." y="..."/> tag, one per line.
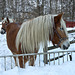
<point x="60" y="37"/>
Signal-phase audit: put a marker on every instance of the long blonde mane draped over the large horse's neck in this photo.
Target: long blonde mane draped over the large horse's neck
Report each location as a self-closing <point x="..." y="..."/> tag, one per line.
<point x="34" y="32"/>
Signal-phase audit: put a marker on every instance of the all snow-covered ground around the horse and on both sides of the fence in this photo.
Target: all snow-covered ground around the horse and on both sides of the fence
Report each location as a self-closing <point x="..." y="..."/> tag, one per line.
<point x="66" y="68"/>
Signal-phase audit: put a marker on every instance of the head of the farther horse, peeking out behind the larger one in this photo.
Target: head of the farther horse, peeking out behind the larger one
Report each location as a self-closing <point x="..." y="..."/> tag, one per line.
<point x="5" y="22"/>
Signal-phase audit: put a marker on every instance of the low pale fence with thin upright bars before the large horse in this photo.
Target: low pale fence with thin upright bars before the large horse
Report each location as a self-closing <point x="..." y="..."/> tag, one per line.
<point x="58" y="53"/>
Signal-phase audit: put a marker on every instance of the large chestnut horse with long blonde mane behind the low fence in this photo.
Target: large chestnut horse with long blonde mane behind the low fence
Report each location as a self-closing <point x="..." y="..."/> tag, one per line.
<point x="27" y="37"/>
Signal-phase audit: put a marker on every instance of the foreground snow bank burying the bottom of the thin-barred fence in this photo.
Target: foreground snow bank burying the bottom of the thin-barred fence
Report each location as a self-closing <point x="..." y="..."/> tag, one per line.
<point x="64" y="69"/>
